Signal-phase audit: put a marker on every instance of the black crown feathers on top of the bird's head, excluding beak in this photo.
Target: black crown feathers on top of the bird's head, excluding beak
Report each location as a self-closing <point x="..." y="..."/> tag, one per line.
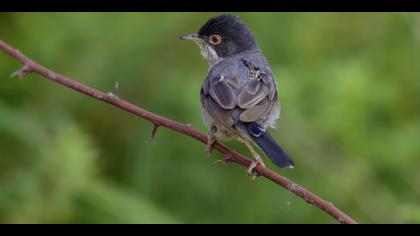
<point x="236" y="36"/>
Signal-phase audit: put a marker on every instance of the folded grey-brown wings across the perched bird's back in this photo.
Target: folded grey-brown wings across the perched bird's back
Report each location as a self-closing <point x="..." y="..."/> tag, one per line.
<point x="250" y="89"/>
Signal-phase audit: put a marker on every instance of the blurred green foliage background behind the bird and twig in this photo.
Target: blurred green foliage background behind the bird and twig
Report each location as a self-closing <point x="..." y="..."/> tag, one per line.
<point x="349" y="84"/>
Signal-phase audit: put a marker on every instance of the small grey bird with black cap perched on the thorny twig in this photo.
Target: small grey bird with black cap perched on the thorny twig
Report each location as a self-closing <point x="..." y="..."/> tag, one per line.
<point x="239" y="95"/>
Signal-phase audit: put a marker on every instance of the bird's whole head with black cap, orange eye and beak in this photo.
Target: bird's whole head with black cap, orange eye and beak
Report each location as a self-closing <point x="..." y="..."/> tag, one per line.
<point x="221" y="37"/>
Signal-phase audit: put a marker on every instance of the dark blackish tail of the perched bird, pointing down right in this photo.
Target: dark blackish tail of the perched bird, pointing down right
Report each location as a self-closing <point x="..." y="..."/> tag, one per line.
<point x="268" y="145"/>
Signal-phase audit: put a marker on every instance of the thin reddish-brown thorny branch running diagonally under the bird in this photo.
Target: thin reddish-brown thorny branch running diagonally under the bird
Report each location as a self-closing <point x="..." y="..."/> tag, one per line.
<point x="159" y="121"/>
